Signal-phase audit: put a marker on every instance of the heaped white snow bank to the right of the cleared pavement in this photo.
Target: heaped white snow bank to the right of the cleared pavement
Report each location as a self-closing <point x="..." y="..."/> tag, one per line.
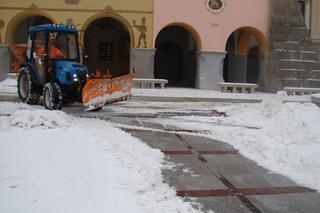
<point x="283" y="137"/>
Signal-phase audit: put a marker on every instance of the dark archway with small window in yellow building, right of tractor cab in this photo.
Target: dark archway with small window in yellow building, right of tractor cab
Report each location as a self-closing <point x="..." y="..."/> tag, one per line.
<point x="107" y="46"/>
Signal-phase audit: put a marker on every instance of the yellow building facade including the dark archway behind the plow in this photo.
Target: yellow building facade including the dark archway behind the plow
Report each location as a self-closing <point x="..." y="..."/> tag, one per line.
<point x="123" y="27"/>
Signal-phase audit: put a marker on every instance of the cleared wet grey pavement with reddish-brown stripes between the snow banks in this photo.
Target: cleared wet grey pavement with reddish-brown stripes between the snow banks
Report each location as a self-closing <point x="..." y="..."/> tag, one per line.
<point x="204" y="170"/>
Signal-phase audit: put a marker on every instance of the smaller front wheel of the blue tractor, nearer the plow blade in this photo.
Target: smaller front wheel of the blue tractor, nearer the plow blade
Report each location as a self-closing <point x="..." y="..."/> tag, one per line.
<point x="52" y="96"/>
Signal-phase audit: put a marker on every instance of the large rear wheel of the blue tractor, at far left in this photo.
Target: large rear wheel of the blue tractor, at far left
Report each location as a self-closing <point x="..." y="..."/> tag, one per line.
<point x="26" y="88"/>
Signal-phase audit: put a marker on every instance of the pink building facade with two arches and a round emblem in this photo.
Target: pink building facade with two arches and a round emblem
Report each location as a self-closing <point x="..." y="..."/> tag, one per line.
<point x="198" y="44"/>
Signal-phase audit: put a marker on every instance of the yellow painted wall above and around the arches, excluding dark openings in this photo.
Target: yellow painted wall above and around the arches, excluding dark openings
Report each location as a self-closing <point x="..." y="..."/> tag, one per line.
<point x="80" y="13"/>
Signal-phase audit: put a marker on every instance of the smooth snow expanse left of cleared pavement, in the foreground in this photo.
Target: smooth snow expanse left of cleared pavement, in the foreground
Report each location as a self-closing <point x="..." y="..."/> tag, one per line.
<point x="53" y="162"/>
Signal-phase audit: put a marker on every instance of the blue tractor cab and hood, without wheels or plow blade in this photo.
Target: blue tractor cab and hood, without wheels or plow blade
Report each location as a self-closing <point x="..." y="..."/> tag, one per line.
<point x="54" y="54"/>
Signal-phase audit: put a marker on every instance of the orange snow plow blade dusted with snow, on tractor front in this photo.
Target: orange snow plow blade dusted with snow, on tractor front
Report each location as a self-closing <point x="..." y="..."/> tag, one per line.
<point x="99" y="91"/>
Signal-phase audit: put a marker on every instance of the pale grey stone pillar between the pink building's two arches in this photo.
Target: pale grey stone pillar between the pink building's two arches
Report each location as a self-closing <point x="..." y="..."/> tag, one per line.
<point x="209" y="69"/>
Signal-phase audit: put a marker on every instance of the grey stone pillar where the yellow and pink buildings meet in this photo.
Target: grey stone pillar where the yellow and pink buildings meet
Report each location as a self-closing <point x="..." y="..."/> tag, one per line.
<point x="142" y="60"/>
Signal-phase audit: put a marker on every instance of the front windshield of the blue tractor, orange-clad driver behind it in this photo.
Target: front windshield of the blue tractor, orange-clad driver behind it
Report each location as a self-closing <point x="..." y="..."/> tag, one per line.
<point x="63" y="45"/>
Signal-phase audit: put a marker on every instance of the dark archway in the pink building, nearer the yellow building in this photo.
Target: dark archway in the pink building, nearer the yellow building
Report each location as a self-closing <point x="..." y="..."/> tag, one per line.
<point x="175" y="58"/>
